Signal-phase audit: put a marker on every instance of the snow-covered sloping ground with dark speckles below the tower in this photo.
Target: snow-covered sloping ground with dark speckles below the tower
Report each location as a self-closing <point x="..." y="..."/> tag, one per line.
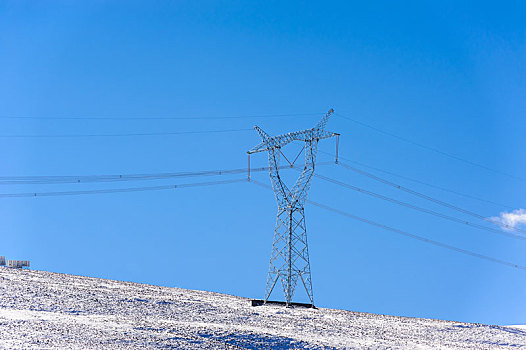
<point x="44" y="310"/>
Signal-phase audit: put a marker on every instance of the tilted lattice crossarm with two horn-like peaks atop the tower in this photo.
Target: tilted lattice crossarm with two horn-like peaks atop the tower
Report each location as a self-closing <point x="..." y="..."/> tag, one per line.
<point x="316" y="133"/>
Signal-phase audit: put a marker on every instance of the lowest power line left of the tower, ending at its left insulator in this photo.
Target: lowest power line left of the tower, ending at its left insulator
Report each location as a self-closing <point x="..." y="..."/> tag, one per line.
<point x="118" y="190"/>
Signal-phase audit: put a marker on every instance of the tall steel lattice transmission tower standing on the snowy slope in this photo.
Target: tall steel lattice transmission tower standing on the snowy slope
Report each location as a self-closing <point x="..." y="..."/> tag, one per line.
<point x="289" y="260"/>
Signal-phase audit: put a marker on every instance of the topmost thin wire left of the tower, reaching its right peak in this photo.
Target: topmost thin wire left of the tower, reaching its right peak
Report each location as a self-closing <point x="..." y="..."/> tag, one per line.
<point x="163" y="118"/>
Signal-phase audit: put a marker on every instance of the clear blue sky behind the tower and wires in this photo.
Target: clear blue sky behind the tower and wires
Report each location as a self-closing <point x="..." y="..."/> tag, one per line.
<point x="450" y="75"/>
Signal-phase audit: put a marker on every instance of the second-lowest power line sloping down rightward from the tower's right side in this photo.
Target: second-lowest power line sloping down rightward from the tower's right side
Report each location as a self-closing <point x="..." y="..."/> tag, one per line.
<point x="423" y="210"/>
